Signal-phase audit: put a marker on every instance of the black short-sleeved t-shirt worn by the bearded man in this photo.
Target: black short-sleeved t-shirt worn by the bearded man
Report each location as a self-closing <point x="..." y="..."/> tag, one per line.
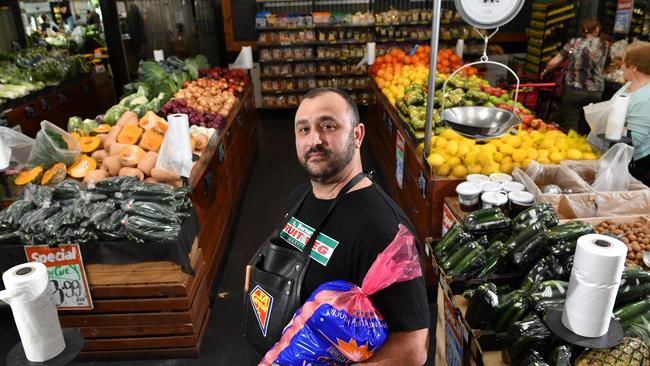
<point x="361" y="226"/>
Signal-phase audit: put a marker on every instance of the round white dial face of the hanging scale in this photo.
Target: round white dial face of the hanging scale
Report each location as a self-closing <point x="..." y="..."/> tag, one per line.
<point x="488" y="14"/>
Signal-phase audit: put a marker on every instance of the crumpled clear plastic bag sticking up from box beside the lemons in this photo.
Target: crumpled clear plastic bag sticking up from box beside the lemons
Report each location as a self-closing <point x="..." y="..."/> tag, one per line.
<point x="613" y="173"/>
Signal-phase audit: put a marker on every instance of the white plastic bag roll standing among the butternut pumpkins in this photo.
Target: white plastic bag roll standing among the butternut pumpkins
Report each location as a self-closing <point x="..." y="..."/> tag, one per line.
<point x="175" y="155"/>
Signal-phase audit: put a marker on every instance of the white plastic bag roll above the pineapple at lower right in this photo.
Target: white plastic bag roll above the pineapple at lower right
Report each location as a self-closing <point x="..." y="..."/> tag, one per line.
<point x="596" y="275"/>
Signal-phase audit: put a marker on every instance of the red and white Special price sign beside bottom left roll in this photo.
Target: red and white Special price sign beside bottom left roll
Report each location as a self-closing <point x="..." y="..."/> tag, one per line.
<point x="66" y="273"/>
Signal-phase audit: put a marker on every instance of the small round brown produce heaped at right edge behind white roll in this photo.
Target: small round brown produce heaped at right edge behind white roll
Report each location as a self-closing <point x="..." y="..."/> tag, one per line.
<point x="635" y="235"/>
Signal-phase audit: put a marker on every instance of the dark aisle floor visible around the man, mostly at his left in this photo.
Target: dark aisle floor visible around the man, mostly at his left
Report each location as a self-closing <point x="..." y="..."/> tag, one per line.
<point x="275" y="173"/>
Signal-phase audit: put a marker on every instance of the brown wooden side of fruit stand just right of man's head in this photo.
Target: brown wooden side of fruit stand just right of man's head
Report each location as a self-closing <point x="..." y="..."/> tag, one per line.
<point x="421" y="194"/>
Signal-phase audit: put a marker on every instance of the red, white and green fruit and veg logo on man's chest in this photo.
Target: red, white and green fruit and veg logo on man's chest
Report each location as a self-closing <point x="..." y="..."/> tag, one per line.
<point x="297" y="234"/>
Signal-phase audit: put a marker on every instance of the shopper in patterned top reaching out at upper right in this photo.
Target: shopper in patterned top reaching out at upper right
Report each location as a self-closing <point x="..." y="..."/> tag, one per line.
<point x="584" y="81"/>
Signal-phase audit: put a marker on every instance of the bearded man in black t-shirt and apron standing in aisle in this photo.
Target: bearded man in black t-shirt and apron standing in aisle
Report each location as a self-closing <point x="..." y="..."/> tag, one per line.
<point x="357" y="219"/>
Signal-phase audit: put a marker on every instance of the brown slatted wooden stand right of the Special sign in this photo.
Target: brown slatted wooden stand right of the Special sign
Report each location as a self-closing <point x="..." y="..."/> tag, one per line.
<point x="144" y="310"/>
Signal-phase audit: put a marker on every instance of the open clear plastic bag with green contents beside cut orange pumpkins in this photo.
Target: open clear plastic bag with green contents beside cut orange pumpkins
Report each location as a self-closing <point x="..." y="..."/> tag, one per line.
<point x="47" y="152"/>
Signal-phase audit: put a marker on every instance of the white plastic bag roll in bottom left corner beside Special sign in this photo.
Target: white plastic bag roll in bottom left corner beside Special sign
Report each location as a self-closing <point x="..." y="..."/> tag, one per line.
<point x="28" y="293"/>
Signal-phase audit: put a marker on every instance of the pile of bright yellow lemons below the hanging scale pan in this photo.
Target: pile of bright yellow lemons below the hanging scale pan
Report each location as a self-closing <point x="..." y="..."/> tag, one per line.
<point x="452" y="155"/>
